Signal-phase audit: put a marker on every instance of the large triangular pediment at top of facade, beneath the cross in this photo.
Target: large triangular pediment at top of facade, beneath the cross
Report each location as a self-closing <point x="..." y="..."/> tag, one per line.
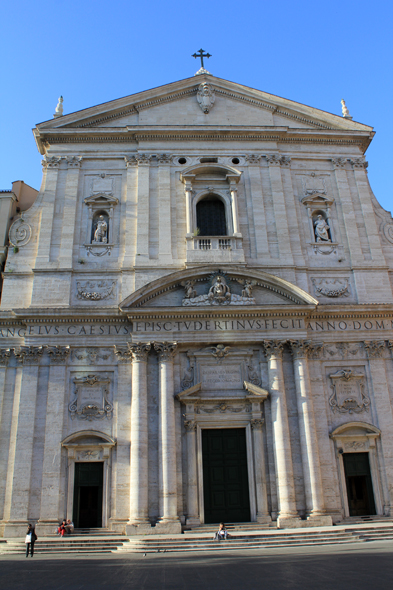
<point x="225" y="105"/>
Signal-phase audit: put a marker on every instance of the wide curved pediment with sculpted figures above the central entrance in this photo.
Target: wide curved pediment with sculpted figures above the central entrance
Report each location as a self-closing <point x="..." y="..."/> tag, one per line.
<point x="211" y="288"/>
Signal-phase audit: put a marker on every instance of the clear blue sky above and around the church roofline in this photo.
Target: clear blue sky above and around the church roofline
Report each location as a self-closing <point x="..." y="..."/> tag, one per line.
<point x="92" y="52"/>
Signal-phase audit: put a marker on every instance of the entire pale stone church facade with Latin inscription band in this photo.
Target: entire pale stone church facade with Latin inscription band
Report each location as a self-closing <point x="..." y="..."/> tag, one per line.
<point x="197" y="319"/>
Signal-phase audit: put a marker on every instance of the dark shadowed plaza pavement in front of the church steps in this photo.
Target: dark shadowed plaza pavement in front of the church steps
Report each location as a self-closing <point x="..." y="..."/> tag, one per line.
<point x="323" y="568"/>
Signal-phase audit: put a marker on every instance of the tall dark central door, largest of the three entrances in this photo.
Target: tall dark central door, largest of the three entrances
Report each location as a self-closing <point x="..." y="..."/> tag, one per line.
<point x="225" y="475"/>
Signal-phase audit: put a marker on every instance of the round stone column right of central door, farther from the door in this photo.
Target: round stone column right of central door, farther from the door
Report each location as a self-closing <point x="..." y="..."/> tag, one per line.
<point x="315" y="506"/>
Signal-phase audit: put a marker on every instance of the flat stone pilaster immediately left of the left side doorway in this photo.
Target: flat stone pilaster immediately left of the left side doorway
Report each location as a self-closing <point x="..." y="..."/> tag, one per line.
<point x="51" y="511"/>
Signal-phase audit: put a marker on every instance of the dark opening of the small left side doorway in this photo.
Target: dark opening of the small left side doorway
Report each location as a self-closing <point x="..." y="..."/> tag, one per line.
<point x="88" y="495"/>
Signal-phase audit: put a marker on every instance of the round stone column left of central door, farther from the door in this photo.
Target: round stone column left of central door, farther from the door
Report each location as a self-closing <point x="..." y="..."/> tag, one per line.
<point x="139" y="515"/>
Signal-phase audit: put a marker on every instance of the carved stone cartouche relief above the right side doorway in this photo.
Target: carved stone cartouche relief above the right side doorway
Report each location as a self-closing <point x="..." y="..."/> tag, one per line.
<point x="348" y="392"/>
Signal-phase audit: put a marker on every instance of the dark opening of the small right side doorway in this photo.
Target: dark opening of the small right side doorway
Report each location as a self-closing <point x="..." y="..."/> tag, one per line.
<point x="359" y="484"/>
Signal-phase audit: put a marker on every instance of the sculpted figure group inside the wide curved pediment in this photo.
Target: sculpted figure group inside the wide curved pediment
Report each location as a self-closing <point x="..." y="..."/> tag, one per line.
<point x="219" y="294"/>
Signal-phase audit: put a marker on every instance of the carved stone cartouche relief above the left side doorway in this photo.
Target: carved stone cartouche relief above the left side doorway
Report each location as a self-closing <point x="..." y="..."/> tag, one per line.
<point x="91" y="398"/>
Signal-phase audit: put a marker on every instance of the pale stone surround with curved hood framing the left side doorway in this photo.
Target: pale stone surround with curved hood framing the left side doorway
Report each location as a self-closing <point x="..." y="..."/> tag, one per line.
<point x="83" y="447"/>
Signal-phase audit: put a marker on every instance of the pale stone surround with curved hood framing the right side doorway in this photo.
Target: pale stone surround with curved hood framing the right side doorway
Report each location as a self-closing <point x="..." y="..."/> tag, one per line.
<point x="359" y="437"/>
